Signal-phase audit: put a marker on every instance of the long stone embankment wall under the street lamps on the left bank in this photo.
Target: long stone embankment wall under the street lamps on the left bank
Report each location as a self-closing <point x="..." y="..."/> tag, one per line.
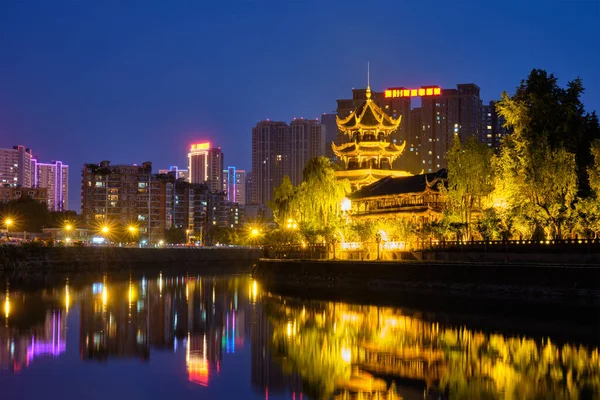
<point x="61" y="259"/>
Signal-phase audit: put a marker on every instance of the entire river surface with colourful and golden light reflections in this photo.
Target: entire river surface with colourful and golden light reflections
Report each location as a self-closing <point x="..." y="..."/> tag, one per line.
<point x="204" y="337"/>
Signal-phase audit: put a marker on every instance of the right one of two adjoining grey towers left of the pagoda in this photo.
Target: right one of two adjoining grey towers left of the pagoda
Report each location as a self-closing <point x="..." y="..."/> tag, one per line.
<point x="306" y="140"/>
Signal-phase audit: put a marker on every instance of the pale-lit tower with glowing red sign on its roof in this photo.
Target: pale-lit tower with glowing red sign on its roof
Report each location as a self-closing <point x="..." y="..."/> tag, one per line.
<point x="205" y="164"/>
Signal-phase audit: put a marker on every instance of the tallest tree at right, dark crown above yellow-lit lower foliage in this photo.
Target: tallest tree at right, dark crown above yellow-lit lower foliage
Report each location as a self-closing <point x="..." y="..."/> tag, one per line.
<point x="540" y="162"/>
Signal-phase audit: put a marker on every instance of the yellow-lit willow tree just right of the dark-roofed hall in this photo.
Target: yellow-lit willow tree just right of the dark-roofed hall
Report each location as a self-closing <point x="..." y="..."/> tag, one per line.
<point x="470" y="179"/>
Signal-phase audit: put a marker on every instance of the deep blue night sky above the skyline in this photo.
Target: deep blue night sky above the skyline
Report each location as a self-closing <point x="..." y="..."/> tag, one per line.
<point x="133" y="81"/>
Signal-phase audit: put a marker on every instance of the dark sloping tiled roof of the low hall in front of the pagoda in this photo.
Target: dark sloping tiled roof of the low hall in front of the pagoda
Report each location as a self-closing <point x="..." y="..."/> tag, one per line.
<point x="390" y="186"/>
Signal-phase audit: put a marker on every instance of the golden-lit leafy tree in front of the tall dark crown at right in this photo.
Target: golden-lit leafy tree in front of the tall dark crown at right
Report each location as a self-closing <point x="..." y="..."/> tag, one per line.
<point x="536" y="175"/>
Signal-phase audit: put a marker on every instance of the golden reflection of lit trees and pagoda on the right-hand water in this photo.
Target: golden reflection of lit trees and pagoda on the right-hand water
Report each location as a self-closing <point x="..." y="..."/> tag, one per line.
<point x="341" y="348"/>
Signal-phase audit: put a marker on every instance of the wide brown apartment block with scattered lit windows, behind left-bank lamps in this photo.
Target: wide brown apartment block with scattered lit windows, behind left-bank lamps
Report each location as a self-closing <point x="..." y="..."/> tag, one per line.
<point x="126" y="194"/>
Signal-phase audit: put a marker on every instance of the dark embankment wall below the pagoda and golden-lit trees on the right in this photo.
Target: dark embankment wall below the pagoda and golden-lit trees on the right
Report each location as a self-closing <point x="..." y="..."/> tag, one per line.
<point x="384" y="281"/>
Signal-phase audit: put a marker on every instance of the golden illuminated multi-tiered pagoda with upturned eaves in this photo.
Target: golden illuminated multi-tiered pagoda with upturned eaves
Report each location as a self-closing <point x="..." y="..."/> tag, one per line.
<point x="368" y="156"/>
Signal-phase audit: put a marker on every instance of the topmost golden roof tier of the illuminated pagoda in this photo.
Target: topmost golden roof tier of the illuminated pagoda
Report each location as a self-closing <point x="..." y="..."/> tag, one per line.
<point x="367" y="117"/>
